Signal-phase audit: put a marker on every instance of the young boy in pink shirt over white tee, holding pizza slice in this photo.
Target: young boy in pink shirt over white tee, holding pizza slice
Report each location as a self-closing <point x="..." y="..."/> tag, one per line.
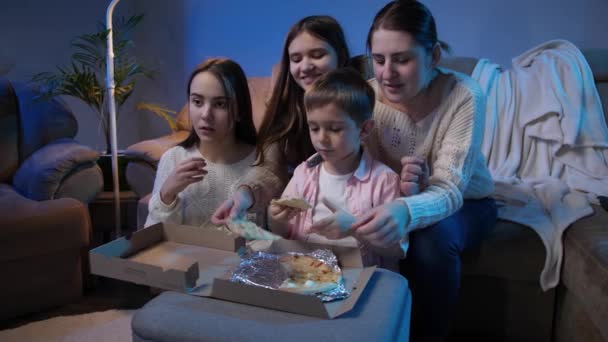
<point x="341" y="180"/>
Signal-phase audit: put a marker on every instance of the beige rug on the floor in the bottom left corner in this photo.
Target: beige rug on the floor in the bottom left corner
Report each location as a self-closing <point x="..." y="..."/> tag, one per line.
<point x="111" y="325"/>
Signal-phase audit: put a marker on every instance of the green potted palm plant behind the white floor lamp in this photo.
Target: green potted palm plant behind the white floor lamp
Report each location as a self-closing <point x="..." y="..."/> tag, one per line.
<point x="84" y="79"/>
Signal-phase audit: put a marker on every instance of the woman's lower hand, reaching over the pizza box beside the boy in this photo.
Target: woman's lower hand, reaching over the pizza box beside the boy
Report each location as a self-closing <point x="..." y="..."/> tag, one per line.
<point x="383" y="226"/>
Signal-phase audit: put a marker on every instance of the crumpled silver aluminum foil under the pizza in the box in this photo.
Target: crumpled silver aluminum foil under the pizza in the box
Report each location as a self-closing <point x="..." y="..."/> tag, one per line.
<point x="265" y="270"/>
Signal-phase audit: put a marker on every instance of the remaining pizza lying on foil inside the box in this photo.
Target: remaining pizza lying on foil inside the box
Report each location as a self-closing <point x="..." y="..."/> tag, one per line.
<point x="308" y="275"/>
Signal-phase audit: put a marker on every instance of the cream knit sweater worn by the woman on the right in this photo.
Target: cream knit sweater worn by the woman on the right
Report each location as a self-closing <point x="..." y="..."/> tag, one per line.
<point x="451" y="145"/>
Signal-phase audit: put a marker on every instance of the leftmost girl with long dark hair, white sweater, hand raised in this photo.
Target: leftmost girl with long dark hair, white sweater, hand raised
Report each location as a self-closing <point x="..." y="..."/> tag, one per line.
<point x="196" y="176"/>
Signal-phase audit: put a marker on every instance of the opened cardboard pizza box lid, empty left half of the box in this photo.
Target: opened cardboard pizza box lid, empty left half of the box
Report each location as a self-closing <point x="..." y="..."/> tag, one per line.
<point x="166" y="256"/>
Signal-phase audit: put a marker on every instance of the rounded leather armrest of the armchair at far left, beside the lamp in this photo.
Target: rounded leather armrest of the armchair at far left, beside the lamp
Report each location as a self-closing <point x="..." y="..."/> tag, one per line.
<point x="40" y="176"/>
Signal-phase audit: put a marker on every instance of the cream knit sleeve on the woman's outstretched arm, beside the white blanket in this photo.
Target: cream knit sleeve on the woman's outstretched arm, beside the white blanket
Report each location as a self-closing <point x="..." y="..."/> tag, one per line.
<point x="456" y="150"/>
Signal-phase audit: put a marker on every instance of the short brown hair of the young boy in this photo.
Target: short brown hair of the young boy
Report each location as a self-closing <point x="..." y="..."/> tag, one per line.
<point x="346" y="89"/>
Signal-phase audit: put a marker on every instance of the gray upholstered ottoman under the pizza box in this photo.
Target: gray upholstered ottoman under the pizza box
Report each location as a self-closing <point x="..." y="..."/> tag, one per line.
<point x="382" y="313"/>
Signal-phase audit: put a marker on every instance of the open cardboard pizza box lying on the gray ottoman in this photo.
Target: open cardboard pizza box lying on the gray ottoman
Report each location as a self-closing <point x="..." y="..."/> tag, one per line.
<point x="199" y="261"/>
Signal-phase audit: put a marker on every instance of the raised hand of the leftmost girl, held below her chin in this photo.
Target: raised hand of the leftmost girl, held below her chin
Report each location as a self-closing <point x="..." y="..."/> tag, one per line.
<point x="185" y="173"/>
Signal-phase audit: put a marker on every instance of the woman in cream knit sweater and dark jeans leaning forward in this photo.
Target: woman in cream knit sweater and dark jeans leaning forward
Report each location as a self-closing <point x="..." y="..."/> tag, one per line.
<point x="428" y="121"/>
